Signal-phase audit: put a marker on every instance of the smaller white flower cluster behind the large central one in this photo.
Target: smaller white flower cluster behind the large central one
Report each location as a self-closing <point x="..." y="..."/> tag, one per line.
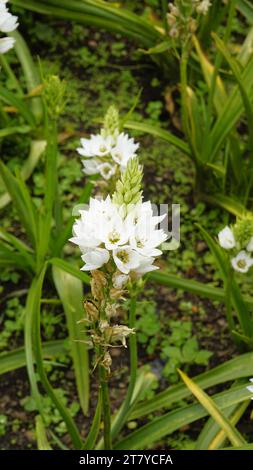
<point x="104" y="154"/>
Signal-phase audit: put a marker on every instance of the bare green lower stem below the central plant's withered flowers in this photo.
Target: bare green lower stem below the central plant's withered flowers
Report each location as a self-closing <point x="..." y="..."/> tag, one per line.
<point x="103" y="381"/>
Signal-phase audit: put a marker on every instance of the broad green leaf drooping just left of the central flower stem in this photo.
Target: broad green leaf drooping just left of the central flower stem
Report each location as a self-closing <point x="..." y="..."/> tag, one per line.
<point x="70" y="291"/>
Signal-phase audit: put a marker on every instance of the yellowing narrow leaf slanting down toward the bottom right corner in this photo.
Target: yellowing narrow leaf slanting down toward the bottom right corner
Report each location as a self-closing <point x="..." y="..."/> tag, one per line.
<point x="211" y="407"/>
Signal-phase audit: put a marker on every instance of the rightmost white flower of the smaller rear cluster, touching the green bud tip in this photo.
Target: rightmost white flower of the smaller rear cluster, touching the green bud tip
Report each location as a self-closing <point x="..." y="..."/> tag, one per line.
<point x="124" y="149"/>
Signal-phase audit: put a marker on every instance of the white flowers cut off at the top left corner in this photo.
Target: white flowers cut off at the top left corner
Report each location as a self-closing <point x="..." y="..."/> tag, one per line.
<point x="8" y="23"/>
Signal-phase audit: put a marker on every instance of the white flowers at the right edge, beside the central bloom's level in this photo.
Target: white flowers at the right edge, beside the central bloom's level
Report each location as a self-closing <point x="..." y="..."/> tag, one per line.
<point x="242" y="261"/>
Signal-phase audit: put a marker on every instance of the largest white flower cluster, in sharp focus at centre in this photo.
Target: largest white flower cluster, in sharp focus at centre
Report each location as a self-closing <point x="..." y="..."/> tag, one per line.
<point x="105" y="233"/>
